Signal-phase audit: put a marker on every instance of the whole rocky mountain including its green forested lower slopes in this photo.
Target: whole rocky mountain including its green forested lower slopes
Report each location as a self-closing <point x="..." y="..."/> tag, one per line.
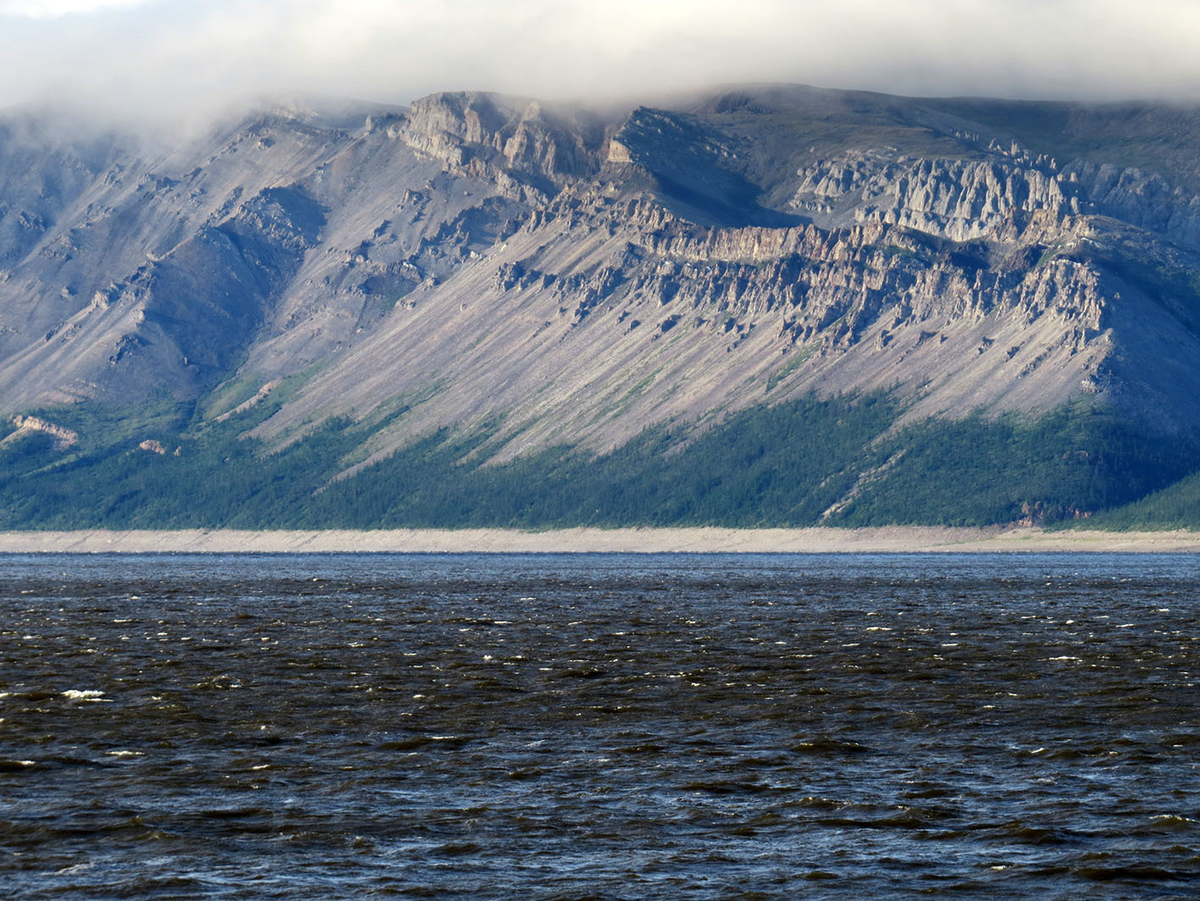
<point x="766" y="305"/>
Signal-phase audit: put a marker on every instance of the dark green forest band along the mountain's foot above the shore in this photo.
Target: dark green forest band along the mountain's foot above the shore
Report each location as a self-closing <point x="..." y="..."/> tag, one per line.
<point x="833" y="461"/>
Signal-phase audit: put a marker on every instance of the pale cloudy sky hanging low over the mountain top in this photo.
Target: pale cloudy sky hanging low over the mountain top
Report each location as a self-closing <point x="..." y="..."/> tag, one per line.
<point x="177" y="56"/>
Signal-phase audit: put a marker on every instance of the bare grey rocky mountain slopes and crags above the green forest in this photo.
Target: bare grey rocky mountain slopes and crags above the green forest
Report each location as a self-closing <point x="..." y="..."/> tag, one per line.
<point x="586" y="274"/>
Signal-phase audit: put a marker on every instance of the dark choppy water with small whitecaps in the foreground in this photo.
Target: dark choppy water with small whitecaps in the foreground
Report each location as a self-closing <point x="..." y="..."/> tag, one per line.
<point x="599" y="726"/>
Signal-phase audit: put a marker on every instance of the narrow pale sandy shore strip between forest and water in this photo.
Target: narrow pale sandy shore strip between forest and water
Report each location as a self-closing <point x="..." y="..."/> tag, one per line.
<point x="705" y="540"/>
